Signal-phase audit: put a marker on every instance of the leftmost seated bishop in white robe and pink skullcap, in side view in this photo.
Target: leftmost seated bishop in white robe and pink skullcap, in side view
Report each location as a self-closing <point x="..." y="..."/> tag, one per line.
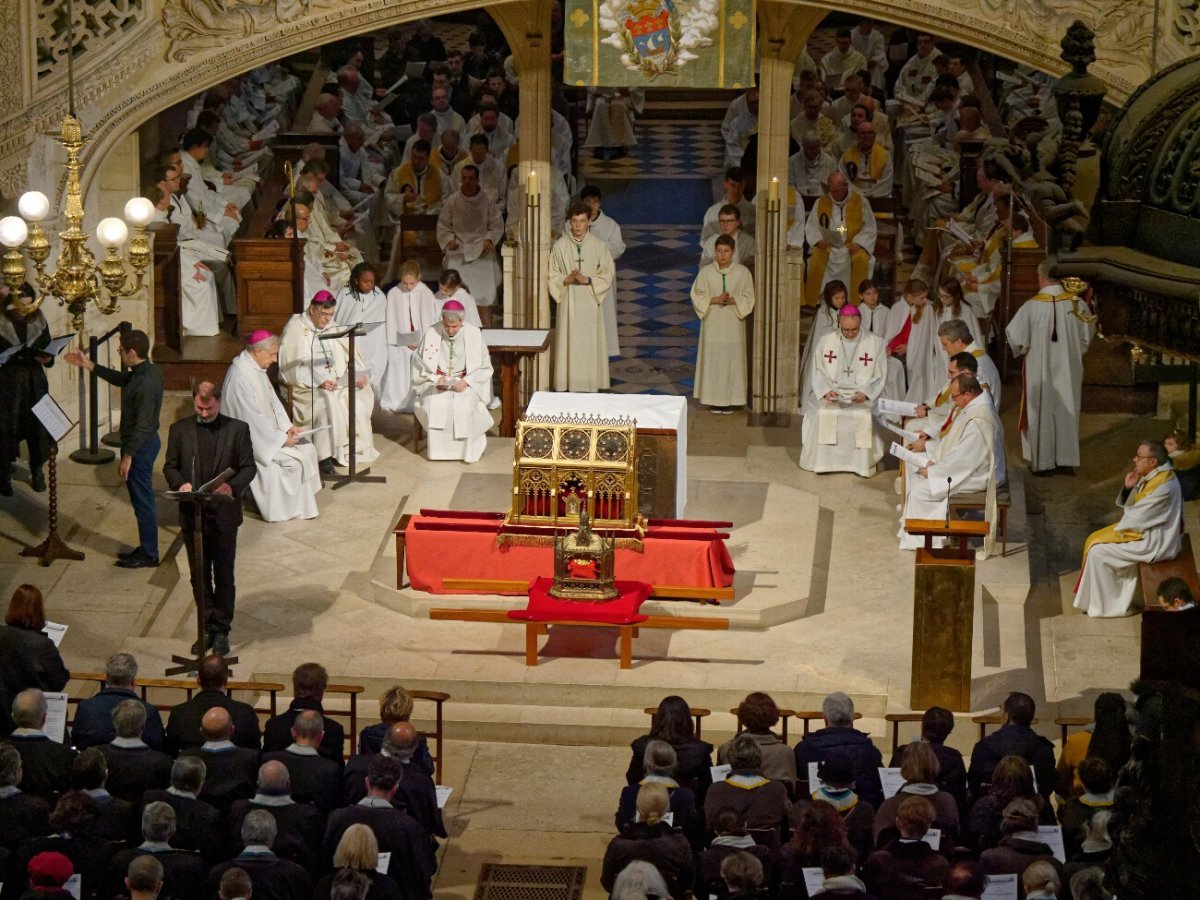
<point x="289" y="471"/>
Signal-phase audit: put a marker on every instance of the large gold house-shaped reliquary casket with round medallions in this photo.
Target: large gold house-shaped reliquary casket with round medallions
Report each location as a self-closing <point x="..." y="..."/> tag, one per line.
<point x="567" y="465"/>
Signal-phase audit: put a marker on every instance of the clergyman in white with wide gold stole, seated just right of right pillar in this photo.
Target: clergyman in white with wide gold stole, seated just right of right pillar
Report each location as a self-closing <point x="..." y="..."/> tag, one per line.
<point x="841" y="233"/>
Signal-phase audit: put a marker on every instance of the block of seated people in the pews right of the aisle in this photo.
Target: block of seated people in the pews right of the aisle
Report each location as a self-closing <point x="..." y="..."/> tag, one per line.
<point x="687" y="818"/>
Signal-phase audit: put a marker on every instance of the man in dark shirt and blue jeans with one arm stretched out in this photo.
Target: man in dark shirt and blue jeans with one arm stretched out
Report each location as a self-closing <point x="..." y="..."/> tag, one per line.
<point x="141" y="386"/>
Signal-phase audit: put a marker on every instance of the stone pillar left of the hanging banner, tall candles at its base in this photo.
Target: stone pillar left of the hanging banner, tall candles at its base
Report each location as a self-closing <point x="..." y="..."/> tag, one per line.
<point x="526" y="26"/>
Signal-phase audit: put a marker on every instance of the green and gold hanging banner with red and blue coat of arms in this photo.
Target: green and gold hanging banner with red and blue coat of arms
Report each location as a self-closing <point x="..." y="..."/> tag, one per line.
<point x="661" y="44"/>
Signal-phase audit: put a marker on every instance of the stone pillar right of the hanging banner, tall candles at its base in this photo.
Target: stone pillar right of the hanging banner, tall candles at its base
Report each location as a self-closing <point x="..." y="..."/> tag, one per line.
<point x="776" y="376"/>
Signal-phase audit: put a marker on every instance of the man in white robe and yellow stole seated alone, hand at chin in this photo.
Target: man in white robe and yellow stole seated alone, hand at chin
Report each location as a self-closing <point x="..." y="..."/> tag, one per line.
<point x="1150" y="530"/>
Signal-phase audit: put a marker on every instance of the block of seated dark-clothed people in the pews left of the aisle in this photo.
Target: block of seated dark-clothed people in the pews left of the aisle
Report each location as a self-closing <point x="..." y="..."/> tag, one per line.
<point x="213" y="790"/>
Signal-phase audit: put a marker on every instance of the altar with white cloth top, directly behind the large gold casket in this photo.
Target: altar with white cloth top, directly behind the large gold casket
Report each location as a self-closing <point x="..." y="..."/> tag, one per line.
<point x="662" y="441"/>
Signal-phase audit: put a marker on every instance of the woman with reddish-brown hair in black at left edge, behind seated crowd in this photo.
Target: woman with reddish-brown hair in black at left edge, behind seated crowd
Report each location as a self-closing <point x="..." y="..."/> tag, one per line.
<point x="28" y="658"/>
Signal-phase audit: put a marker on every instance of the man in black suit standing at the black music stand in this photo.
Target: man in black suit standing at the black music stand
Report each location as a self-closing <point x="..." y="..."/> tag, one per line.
<point x="199" y="449"/>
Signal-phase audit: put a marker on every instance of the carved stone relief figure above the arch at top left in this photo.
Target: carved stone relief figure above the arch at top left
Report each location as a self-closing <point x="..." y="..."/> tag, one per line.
<point x="197" y="26"/>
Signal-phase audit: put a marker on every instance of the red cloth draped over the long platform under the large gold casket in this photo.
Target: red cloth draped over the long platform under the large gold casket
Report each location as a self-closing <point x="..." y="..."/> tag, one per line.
<point x="463" y="545"/>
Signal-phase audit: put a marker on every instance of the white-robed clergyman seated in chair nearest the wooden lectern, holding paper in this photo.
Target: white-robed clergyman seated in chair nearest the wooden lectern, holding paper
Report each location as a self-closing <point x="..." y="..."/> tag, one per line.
<point x="968" y="460"/>
